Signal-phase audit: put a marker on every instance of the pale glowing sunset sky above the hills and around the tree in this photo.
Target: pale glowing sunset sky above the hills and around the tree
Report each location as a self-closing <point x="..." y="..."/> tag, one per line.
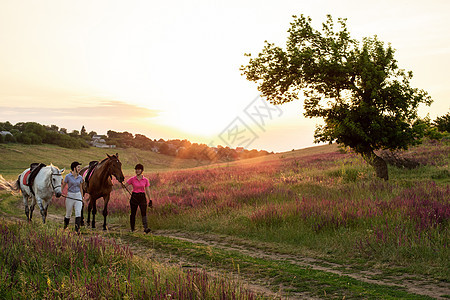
<point x="170" y="69"/>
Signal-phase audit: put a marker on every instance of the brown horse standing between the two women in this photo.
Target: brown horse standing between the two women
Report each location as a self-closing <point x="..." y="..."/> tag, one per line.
<point x="100" y="185"/>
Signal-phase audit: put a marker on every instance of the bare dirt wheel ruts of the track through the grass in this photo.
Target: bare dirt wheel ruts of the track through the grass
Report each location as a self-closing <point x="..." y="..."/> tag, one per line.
<point x="412" y="284"/>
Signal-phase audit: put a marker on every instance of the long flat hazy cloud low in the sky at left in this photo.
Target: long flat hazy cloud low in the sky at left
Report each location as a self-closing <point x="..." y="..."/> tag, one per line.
<point x="103" y="110"/>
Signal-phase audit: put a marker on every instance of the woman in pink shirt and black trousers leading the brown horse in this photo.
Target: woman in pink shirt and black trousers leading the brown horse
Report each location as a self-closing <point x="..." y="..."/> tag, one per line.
<point x="140" y="189"/>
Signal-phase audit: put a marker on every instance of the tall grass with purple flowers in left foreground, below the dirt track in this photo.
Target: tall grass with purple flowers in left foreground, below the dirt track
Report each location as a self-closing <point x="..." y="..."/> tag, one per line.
<point x="46" y="262"/>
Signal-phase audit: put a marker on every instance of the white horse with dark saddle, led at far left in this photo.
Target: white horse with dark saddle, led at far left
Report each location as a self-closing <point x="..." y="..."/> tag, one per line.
<point x="46" y="182"/>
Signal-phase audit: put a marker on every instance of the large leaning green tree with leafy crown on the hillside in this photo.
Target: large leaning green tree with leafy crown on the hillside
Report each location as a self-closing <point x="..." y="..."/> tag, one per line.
<point x="365" y="100"/>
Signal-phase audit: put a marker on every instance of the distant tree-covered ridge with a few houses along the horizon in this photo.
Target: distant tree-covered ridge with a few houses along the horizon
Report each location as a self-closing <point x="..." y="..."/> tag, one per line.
<point x="35" y="133"/>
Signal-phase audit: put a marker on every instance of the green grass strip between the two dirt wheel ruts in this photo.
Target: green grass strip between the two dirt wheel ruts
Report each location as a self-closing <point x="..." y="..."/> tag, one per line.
<point x="291" y="280"/>
